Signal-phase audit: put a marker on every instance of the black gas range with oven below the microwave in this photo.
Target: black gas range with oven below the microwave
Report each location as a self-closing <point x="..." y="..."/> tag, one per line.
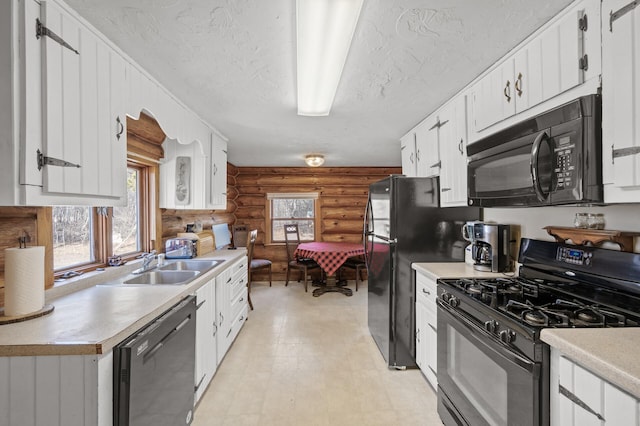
<point x="492" y="366"/>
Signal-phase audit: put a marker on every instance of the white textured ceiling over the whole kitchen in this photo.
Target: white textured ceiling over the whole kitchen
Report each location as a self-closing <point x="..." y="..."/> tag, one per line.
<point x="233" y="62"/>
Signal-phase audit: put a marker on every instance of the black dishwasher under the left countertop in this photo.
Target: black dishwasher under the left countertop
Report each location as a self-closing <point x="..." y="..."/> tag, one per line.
<point x="153" y="378"/>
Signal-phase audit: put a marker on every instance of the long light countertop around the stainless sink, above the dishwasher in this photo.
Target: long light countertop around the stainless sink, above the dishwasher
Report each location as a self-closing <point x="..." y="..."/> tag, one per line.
<point x="91" y="319"/>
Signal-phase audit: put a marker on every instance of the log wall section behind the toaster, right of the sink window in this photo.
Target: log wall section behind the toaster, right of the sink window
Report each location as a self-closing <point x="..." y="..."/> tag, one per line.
<point x="175" y="221"/>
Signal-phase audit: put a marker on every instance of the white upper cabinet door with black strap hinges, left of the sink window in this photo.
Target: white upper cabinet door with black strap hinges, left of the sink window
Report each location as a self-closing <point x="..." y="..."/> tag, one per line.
<point x="83" y="119"/>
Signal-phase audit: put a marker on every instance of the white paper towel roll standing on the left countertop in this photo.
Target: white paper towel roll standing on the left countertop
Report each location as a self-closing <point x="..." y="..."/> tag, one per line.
<point x="23" y="280"/>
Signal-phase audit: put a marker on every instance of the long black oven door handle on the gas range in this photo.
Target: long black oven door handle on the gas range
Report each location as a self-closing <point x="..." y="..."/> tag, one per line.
<point x="487" y="340"/>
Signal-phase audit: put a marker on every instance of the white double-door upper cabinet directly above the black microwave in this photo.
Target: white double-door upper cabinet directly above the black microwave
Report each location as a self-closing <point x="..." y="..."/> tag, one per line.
<point x="561" y="56"/>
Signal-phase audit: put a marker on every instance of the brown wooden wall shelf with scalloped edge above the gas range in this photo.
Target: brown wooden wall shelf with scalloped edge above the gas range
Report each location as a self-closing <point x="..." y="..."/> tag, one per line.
<point x="593" y="237"/>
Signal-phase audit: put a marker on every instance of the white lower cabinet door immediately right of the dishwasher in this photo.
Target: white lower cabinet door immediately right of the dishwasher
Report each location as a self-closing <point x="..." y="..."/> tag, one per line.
<point x="206" y="329"/>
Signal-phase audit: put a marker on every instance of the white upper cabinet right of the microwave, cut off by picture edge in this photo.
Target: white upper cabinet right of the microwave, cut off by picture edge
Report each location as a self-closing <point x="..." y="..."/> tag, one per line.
<point x="620" y="101"/>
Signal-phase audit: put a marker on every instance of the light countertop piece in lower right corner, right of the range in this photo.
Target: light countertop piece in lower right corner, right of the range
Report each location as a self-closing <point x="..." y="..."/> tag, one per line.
<point x="611" y="353"/>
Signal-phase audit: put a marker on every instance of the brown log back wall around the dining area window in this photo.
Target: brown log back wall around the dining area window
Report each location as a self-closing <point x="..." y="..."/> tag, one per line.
<point x="343" y="194"/>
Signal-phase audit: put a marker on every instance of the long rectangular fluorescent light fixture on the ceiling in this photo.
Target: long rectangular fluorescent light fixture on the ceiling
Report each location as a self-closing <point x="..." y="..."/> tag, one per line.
<point x="324" y="32"/>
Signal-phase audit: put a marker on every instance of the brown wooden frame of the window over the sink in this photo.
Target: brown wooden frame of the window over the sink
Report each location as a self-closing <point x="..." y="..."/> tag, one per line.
<point x="102" y="222"/>
